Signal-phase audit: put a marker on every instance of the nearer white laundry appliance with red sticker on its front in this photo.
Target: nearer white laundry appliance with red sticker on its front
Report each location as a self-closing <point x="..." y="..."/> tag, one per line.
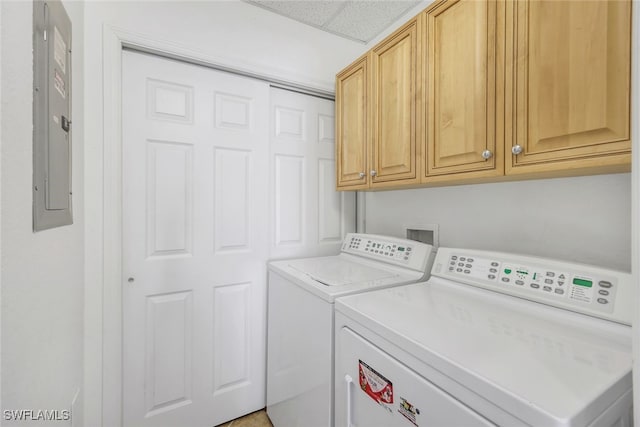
<point x="490" y="339"/>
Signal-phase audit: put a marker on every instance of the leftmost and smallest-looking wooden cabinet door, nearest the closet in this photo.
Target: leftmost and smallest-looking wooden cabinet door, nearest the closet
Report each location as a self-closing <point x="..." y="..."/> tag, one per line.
<point x="351" y="126"/>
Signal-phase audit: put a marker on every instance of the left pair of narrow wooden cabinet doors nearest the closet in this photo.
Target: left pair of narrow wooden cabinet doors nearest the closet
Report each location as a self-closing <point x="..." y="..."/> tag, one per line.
<point x="376" y="110"/>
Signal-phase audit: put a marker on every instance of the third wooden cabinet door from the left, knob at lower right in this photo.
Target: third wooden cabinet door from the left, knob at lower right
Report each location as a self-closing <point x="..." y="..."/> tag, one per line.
<point x="461" y="96"/>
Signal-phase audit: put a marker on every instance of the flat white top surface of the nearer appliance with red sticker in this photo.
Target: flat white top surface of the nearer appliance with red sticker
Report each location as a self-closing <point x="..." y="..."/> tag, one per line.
<point x="544" y="365"/>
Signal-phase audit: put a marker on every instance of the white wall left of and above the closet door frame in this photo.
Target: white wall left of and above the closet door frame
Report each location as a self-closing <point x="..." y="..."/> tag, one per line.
<point x="229" y="33"/>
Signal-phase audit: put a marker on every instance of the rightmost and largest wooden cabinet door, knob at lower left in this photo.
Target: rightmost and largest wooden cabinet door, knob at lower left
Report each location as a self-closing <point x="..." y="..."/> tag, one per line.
<point x="569" y="83"/>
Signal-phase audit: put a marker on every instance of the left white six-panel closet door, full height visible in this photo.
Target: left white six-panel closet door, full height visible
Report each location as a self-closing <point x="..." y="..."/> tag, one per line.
<point x="195" y="243"/>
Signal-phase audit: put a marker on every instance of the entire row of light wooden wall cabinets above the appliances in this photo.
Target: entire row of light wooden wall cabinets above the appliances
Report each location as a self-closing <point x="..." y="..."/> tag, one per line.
<point x="487" y="90"/>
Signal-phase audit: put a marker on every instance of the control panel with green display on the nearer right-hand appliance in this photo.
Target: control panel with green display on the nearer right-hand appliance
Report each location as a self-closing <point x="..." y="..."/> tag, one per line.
<point x="576" y="287"/>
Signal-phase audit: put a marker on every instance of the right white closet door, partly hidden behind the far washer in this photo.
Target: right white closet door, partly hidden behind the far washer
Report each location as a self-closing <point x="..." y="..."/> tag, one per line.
<point x="309" y="218"/>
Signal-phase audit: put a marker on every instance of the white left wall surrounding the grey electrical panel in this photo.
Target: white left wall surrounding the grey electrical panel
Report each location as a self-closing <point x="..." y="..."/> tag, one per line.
<point x="41" y="273"/>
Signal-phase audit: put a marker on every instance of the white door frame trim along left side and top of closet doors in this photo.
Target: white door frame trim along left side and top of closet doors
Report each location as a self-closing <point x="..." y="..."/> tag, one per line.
<point x="103" y="246"/>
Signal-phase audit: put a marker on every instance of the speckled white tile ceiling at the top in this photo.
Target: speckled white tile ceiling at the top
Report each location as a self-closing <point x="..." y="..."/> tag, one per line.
<point x="359" y="20"/>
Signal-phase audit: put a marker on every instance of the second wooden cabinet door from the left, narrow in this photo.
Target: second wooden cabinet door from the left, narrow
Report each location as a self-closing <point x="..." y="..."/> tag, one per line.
<point x="394" y="75"/>
